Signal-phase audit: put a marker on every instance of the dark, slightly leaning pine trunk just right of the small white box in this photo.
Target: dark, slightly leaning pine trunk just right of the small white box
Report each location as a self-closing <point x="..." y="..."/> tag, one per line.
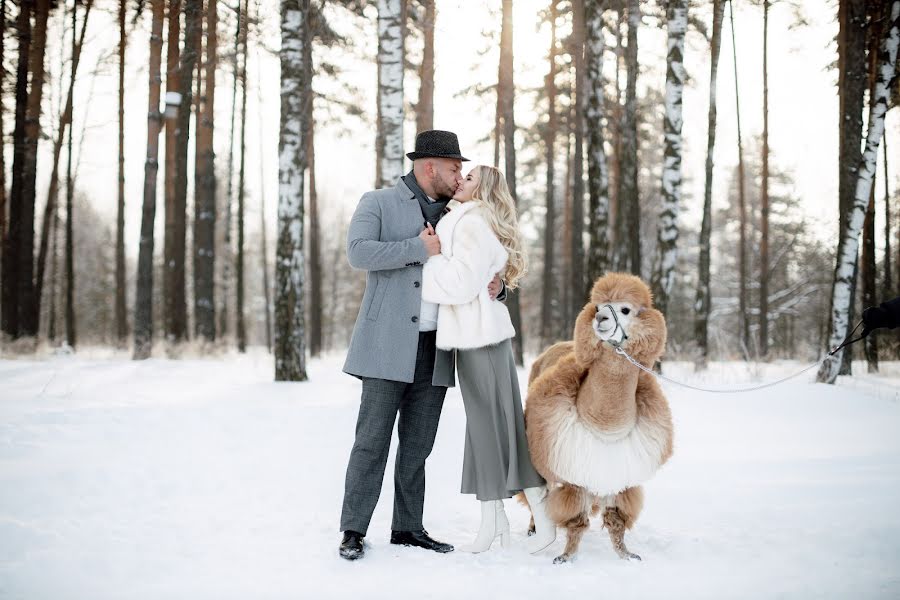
<point x="177" y="327"/>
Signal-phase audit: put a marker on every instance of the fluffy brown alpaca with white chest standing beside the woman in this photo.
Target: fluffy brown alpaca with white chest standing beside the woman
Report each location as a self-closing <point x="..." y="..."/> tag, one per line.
<point x="598" y="426"/>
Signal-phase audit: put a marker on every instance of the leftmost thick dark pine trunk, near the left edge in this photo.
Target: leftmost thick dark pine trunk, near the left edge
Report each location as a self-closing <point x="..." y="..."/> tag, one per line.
<point x="9" y="315"/>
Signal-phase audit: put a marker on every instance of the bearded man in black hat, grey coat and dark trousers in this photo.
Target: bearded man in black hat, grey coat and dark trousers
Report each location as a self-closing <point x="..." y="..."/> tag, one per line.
<point x="393" y="349"/>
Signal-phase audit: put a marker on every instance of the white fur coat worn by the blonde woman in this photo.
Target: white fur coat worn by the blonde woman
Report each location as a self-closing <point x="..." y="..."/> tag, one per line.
<point x="458" y="277"/>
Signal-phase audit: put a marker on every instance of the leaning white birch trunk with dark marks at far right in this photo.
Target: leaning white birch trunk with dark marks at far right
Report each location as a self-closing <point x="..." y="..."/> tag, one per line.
<point x="840" y="302"/>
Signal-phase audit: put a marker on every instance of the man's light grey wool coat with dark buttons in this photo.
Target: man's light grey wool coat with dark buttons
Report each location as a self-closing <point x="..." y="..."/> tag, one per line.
<point x="383" y="240"/>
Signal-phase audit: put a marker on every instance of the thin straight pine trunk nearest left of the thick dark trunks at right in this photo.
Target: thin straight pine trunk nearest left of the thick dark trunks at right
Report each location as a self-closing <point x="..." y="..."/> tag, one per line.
<point x="764" y="200"/>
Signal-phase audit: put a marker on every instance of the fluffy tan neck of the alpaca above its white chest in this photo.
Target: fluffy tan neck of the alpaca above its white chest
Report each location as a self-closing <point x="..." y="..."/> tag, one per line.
<point x="606" y="399"/>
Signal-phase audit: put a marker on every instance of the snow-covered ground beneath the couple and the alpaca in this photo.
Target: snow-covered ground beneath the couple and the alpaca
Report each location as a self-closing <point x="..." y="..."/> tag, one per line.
<point x="203" y="479"/>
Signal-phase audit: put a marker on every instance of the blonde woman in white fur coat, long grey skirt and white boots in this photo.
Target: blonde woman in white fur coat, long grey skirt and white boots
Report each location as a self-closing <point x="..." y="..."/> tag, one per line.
<point x="480" y="238"/>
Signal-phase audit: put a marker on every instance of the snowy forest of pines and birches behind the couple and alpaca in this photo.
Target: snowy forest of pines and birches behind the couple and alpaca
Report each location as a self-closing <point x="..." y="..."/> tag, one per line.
<point x="619" y="155"/>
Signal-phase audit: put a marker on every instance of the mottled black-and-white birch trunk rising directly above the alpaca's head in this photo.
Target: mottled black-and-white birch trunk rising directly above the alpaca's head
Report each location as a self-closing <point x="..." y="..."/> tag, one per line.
<point x="598" y="175"/>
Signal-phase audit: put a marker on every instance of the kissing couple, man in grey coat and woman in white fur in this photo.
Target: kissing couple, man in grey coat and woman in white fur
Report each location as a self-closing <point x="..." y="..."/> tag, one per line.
<point x="440" y="251"/>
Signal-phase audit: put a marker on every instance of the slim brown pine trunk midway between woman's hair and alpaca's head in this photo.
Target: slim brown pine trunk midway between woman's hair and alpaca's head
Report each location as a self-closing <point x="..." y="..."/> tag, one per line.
<point x="549" y="289"/>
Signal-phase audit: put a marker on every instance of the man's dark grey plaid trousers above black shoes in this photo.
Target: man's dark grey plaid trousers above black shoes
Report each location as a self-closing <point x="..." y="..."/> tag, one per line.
<point x="419" y="405"/>
